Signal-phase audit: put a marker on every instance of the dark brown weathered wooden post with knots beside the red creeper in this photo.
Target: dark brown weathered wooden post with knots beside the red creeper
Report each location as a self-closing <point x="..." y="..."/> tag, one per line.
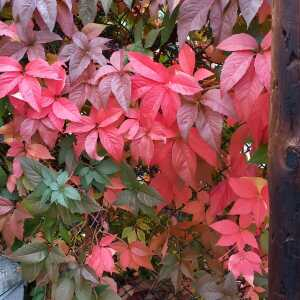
<point x="284" y="153"/>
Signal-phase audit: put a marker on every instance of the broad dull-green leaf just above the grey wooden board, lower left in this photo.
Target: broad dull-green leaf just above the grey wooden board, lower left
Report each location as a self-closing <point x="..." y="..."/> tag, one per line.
<point x="31" y="253"/>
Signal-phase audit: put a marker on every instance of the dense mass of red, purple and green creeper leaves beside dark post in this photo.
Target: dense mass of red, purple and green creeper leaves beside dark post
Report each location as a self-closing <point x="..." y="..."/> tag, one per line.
<point x="133" y="147"/>
